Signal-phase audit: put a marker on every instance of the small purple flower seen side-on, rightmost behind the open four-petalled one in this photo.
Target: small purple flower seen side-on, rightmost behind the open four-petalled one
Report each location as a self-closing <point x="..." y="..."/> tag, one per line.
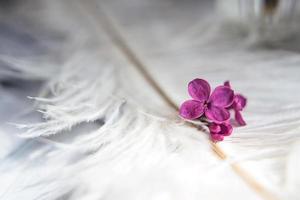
<point x="238" y="104"/>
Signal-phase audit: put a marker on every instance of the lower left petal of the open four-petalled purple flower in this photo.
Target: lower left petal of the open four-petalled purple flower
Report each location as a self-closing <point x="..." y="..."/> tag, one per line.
<point x="191" y="109"/>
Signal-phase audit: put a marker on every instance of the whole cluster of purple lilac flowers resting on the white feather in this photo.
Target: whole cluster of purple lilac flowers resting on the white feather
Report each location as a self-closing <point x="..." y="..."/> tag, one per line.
<point x="213" y="107"/>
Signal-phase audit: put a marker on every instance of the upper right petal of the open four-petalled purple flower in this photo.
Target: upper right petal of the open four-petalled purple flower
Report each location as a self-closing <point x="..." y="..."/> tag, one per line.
<point x="222" y="96"/>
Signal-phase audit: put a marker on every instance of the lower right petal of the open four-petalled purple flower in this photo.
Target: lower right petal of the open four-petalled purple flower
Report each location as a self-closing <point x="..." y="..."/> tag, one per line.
<point x="217" y="114"/>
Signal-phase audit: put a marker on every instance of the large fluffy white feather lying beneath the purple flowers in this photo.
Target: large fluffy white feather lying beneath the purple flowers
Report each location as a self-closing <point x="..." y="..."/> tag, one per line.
<point x="104" y="132"/>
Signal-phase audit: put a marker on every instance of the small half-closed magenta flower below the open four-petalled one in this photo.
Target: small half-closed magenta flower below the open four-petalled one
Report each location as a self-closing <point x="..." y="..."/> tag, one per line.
<point x="219" y="131"/>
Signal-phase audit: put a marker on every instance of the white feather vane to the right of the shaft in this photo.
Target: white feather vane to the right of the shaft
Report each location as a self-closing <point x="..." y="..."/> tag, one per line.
<point x="218" y="50"/>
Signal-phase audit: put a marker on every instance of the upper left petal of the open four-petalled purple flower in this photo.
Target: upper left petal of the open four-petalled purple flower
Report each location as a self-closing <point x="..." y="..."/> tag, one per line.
<point x="199" y="89"/>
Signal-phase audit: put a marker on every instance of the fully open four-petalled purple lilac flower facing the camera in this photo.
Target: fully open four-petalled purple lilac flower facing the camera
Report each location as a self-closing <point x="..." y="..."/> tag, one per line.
<point x="212" y="105"/>
